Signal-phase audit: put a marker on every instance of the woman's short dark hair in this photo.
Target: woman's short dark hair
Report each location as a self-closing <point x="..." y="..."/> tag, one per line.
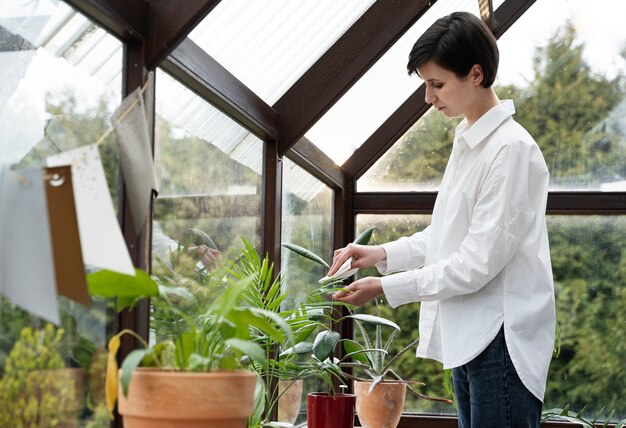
<point x="456" y="42"/>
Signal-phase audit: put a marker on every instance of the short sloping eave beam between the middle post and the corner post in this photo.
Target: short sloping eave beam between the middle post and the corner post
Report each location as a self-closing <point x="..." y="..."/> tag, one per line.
<point x="308" y="156"/>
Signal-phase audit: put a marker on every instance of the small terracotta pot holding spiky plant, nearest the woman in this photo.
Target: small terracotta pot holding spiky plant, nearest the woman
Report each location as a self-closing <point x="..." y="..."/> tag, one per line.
<point x="382" y="407"/>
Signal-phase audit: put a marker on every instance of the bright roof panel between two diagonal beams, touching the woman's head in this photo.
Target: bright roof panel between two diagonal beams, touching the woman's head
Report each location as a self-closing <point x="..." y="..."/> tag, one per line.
<point x="378" y="93"/>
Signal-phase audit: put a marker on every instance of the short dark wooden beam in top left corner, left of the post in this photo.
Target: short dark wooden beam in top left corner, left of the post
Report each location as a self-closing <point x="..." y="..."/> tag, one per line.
<point x="126" y="19"/>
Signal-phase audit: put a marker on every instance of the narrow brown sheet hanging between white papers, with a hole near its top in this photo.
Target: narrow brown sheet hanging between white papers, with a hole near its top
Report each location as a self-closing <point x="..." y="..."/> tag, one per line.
<point x="68" y="259"/>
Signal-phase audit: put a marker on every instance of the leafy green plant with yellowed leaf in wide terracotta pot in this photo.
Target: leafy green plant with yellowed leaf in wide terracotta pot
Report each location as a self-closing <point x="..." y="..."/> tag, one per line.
<point x="195" y="373"/>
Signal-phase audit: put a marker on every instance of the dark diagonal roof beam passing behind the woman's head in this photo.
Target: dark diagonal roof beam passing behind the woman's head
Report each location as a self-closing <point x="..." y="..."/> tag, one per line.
<point x="415" y="106"/>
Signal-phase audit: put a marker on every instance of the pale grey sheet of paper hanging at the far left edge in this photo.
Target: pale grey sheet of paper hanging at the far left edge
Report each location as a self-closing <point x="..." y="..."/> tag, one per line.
<point x="26" y="262"/>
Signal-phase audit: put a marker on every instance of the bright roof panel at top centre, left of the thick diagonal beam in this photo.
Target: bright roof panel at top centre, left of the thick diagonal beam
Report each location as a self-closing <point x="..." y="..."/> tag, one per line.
<point x="268" y="45"/>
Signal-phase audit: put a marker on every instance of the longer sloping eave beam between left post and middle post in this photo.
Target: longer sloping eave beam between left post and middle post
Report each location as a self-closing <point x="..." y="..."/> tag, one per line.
<point x="191" y="65"/>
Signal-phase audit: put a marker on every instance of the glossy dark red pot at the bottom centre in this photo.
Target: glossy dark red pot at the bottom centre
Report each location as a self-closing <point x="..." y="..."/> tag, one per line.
<point x="330" y="411"/>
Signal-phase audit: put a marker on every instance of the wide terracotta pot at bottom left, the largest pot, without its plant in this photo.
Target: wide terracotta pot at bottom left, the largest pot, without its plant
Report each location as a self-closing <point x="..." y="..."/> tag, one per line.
<point x="168" y="399"/>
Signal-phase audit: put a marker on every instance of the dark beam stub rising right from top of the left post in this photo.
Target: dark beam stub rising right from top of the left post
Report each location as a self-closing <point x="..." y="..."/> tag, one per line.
<point x="169" y="22"/>
